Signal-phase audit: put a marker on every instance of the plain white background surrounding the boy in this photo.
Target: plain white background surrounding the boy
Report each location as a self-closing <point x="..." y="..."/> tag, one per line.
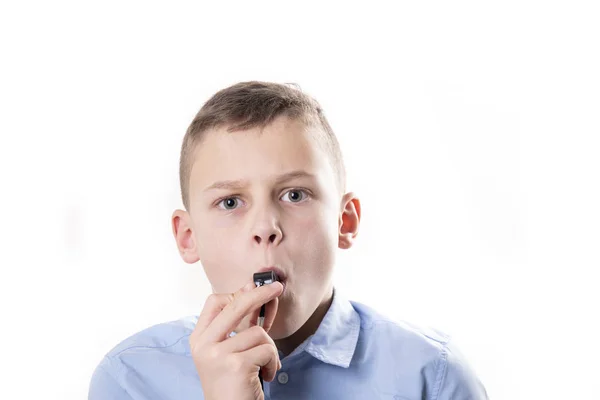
<point x="470" y="131"/>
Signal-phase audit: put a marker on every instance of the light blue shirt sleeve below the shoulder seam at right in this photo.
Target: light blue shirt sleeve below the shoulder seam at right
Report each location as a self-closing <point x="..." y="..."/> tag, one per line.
<point x="455" y="380"/>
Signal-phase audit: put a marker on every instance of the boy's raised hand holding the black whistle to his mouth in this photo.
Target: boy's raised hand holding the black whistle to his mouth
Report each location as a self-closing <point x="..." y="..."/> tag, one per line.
<point x="228" y="367"/>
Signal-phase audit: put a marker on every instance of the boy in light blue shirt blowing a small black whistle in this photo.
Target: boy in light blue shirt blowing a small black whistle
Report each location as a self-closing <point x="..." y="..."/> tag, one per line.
<point x="263" y="185"/>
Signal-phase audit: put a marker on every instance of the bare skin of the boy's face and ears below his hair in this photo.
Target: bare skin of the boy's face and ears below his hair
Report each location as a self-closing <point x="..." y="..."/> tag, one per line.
<point x="268" y="197"/>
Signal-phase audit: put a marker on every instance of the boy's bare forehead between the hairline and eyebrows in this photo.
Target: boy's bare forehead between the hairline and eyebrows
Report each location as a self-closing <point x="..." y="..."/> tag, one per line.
<point x="260" y="154"/>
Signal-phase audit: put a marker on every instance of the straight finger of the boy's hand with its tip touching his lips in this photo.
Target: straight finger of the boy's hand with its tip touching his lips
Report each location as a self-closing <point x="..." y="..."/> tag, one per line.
<point x="243" y="304"/>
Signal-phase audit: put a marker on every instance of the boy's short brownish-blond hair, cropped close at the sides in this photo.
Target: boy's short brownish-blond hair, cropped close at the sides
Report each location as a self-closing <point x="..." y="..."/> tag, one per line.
<point x="247" y="105"/>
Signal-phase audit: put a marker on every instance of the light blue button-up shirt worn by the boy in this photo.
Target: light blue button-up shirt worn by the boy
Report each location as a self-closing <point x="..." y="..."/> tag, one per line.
<point x="355" y="353"/>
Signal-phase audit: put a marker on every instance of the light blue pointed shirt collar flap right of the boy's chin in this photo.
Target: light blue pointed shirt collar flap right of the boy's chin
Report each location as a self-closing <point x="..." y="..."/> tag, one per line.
<point x="336" y="337"/>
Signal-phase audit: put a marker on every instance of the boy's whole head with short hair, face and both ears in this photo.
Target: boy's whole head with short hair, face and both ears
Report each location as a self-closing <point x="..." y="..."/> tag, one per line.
<point x="263" y="185"/>
